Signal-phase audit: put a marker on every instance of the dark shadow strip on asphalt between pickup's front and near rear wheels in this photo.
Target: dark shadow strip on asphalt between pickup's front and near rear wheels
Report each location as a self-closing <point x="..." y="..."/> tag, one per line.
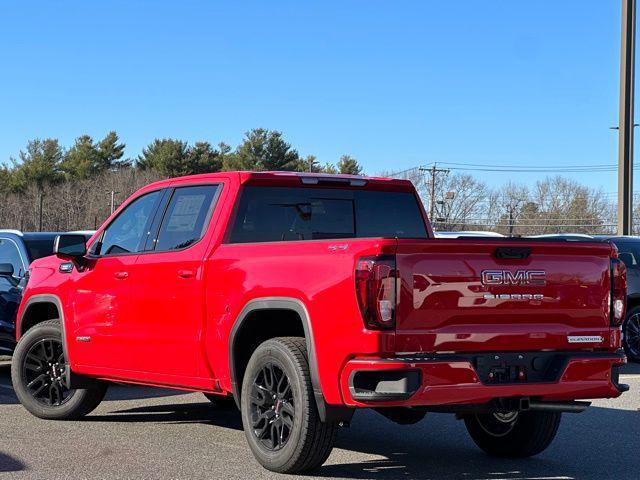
<point x="179" y="413"/>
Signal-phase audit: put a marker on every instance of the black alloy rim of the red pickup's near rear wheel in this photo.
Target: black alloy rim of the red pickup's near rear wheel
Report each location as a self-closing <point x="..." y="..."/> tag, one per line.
<point x="272" y="407"/>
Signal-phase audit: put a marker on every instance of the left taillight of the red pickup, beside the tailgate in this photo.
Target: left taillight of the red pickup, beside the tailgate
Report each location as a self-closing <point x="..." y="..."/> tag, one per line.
<point x="376" y="291"/>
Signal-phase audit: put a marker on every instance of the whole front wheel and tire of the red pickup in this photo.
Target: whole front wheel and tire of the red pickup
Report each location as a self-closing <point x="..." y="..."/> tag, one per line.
<point x="48" y="398"/>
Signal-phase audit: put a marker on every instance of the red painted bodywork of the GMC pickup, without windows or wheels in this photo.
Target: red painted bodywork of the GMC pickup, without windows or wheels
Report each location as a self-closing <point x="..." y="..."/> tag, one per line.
<point x="168" y="321"/>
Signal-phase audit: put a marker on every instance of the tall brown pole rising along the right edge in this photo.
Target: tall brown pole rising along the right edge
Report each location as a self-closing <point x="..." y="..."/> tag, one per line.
<point x="625" y="130"/>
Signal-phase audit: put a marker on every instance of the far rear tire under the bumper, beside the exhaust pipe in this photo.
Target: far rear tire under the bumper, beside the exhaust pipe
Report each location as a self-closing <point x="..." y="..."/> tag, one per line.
<point x="525" y="435"/>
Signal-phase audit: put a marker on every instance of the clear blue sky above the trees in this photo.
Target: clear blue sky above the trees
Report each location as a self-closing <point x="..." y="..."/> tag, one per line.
<point x="393" y="83"/>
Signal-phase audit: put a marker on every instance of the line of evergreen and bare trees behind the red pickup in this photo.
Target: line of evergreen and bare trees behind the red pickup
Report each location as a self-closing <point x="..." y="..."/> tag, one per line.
<point x="50" y="187"/>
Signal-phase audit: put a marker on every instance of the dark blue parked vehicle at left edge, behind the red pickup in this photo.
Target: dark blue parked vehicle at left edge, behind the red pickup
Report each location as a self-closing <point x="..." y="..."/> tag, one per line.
<point x="17" y="251"/>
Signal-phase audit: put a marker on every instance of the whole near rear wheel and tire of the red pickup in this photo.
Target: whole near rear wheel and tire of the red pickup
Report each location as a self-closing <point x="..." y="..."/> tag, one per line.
<point x="285" y="434"/>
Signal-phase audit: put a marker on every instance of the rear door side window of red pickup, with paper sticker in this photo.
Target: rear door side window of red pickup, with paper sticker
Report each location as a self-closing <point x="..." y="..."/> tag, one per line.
<point x="186" y="217"/>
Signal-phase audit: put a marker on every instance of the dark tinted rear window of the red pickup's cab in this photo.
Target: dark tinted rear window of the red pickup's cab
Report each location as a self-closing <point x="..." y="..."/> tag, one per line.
<point x="275" y="214"/>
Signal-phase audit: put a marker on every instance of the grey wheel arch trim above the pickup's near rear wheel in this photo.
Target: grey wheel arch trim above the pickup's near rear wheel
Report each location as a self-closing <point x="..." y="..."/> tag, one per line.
<point x="245" y="318"/>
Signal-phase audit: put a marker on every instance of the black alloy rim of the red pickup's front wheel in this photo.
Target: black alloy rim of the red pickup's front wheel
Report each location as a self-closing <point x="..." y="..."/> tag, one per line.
<point x="44" y="372"/>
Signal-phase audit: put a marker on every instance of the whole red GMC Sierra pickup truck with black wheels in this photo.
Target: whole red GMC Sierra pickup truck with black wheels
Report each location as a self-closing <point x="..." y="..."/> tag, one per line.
<point x="301" y="297"/>
